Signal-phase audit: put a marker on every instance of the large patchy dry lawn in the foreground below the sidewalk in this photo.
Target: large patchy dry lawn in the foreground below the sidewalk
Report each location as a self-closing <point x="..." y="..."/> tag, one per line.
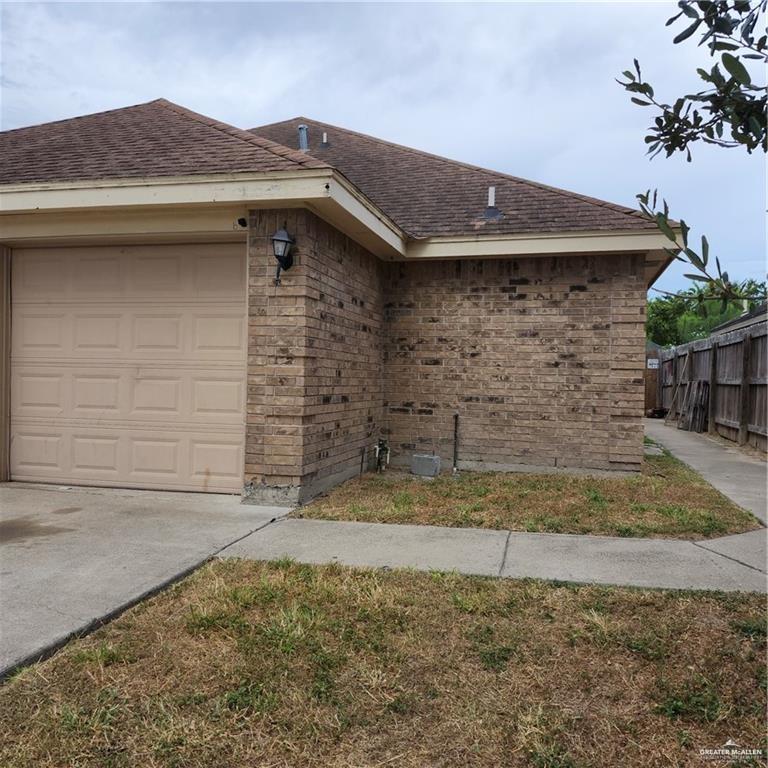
<point x="283" y="665"/>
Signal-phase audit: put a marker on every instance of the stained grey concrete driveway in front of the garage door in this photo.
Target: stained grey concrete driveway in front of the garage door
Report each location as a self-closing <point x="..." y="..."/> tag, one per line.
<point x="72" y="557"/>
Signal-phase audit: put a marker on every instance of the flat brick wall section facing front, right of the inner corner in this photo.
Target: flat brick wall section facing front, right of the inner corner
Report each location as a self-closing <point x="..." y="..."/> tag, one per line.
<point x="541" y="358"/>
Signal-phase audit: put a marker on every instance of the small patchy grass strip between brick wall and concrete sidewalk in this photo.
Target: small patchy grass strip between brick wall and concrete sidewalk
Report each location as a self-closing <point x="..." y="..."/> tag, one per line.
<point x="667" y="499"/>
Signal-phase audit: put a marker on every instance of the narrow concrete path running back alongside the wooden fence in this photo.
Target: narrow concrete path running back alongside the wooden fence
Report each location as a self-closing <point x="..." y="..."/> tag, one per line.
<point x="736" y="475"/>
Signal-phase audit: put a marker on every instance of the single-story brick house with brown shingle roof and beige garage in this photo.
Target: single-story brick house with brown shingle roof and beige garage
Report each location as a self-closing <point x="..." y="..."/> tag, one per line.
<point x="150" y="344"/>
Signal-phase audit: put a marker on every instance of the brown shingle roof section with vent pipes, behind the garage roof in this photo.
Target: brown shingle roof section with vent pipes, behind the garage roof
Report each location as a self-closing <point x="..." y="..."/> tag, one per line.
<point x="428" y="195"/>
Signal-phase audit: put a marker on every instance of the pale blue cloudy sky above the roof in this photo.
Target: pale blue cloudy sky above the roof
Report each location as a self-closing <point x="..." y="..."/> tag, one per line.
<point x="524" y="88"/>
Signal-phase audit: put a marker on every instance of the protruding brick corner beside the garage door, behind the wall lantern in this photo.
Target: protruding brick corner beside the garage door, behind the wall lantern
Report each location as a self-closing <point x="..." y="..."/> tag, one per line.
<point x="314" y="359"/>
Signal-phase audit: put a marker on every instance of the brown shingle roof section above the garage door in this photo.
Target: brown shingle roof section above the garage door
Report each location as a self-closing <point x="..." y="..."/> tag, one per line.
<point x="158" y="138"/>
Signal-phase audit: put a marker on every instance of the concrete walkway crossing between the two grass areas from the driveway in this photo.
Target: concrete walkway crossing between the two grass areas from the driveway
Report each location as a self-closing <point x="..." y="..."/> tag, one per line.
<point x="593" y="559"/>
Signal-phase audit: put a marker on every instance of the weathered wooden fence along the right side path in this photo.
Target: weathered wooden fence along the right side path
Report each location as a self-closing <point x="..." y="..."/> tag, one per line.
<point x="719" y="385"/>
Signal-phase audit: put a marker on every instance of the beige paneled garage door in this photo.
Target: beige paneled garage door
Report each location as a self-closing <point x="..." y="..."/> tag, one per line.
<point x="128" y="366"/>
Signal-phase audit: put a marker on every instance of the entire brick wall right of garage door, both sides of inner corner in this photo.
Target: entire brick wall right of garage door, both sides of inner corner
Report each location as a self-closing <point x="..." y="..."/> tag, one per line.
<point x="541" y="358"/>
